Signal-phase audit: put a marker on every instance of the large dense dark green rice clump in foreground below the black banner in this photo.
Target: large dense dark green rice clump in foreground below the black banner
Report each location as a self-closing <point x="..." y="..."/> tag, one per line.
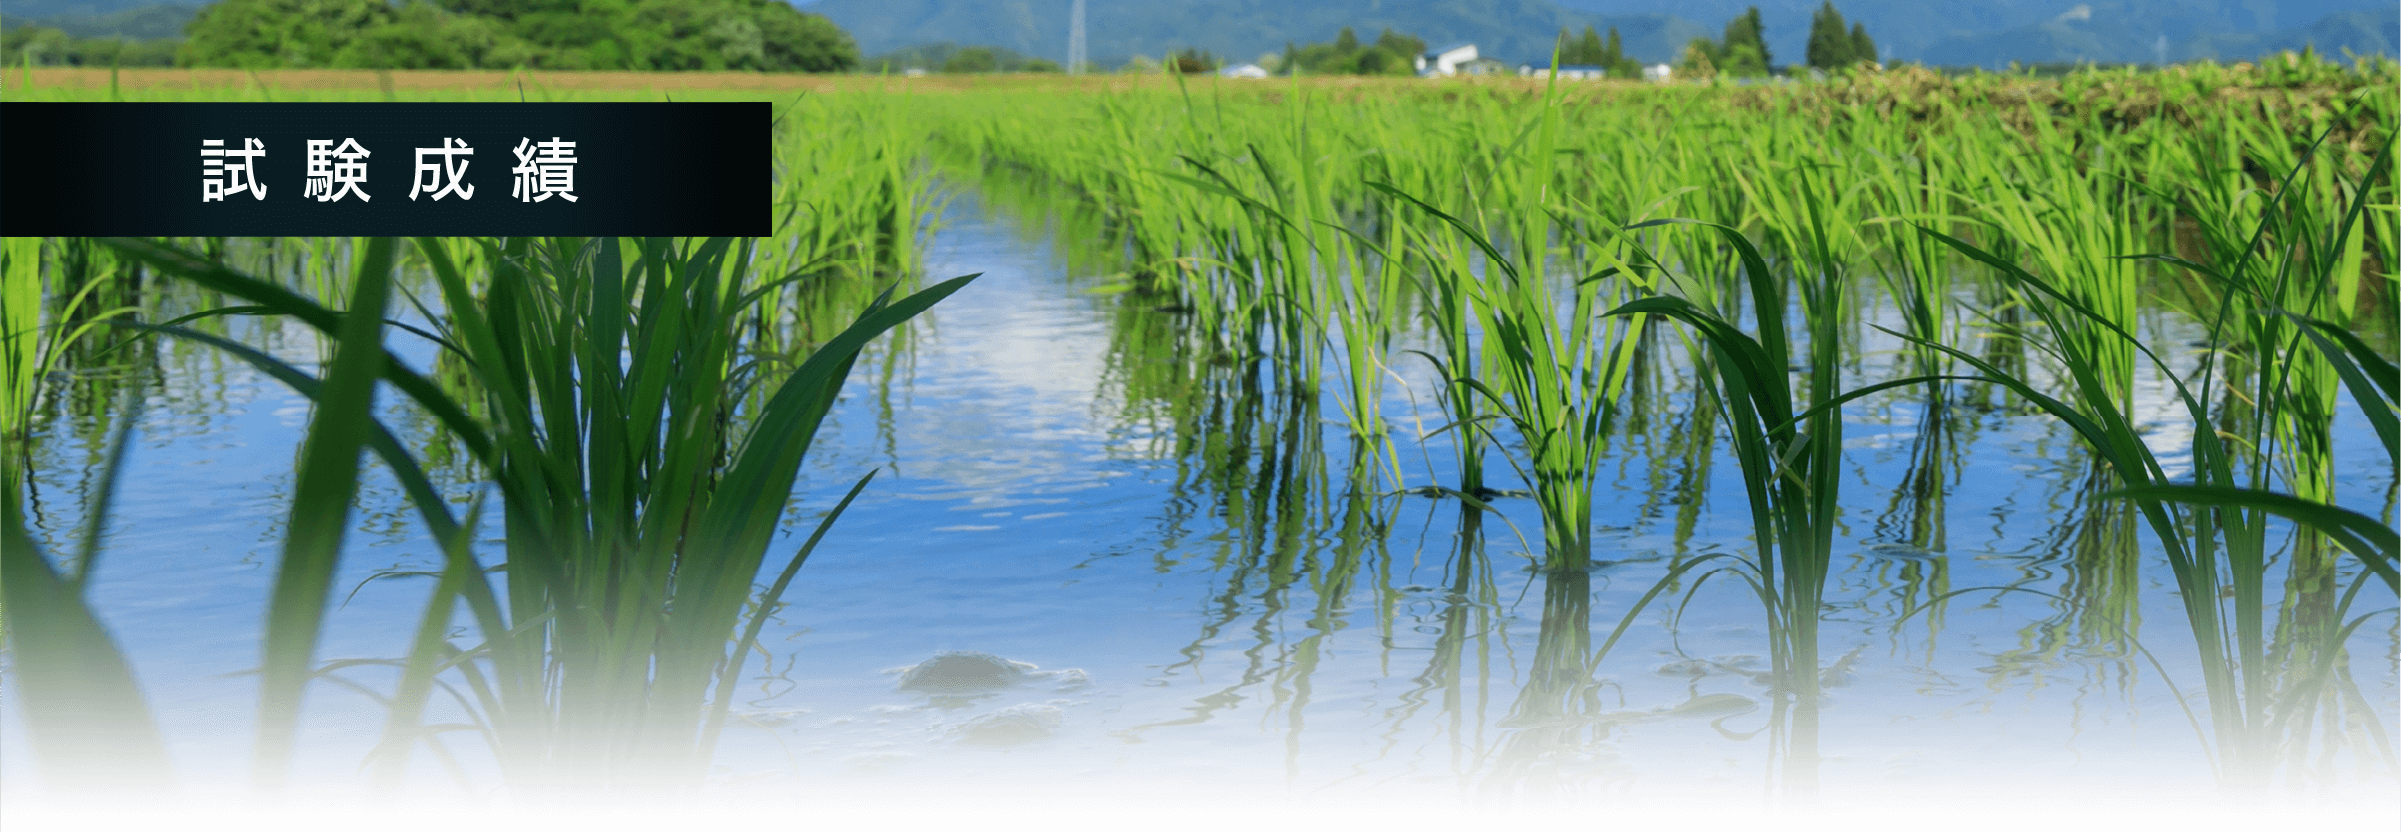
<point x="630" y="493"/>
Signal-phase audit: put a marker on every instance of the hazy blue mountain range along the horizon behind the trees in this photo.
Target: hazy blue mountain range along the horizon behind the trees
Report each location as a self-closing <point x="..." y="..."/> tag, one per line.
<point x="1936" y="32"/>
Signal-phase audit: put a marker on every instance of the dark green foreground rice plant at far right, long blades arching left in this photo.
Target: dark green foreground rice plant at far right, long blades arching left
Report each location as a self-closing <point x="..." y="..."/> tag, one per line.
<point x="2220" y="558"/>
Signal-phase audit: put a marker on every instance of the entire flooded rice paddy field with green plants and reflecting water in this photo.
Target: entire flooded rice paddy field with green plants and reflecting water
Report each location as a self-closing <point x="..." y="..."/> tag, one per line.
<point x="1896" y="450"/>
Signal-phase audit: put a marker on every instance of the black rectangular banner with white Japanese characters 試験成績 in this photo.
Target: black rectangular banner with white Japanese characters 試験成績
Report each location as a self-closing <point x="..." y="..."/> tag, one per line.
<point x="385" y="169"/>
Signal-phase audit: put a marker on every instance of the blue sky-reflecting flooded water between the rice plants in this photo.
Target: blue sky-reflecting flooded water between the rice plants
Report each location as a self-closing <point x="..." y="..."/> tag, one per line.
<point x="1101" y="582"/>
